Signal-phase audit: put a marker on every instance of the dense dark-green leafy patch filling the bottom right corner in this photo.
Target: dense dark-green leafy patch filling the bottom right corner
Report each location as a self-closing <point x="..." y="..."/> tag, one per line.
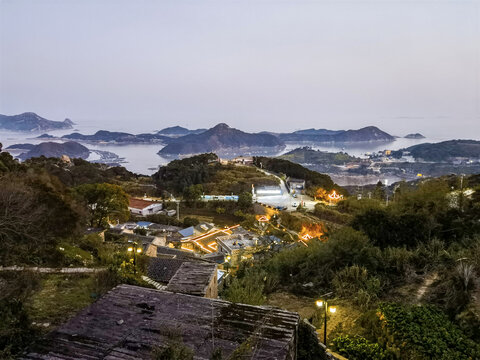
<point x="424" y="331"/>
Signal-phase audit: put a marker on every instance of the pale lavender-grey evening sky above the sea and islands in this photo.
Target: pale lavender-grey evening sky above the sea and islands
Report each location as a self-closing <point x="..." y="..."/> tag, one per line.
<point x="141" y="65"/>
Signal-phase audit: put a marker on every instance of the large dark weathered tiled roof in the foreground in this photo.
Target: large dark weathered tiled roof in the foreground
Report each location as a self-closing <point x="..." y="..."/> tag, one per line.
<point x="129" y="321"/>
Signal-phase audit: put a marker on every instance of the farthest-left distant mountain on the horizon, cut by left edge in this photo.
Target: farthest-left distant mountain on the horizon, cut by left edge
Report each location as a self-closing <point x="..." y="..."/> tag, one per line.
<point x="31" y="122"/>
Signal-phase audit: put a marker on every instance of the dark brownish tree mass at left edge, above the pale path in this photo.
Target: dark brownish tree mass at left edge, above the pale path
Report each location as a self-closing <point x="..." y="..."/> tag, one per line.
<point x="37" y="211"/>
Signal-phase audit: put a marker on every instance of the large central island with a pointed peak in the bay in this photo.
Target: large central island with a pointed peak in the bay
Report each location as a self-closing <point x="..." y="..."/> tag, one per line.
<point x="221" y="138"/>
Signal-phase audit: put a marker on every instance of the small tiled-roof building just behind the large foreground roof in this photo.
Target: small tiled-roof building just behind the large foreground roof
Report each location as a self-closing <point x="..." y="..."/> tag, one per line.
<point x="195" y="278"/>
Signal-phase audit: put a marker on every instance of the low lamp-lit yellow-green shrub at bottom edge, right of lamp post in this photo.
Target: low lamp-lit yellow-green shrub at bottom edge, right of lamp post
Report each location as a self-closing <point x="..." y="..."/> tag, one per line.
<point x="358" y="348"/>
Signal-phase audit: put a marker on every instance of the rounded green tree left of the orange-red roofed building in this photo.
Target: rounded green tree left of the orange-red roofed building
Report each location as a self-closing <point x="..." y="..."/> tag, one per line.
<point x="104" y="202"/>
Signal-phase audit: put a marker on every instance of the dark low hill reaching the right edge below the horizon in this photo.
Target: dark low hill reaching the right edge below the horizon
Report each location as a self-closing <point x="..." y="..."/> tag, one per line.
<point x="443" y="151"/>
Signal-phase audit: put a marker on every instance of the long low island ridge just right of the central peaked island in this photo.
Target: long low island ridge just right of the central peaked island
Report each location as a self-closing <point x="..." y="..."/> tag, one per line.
<point x="366" y="134"/>
